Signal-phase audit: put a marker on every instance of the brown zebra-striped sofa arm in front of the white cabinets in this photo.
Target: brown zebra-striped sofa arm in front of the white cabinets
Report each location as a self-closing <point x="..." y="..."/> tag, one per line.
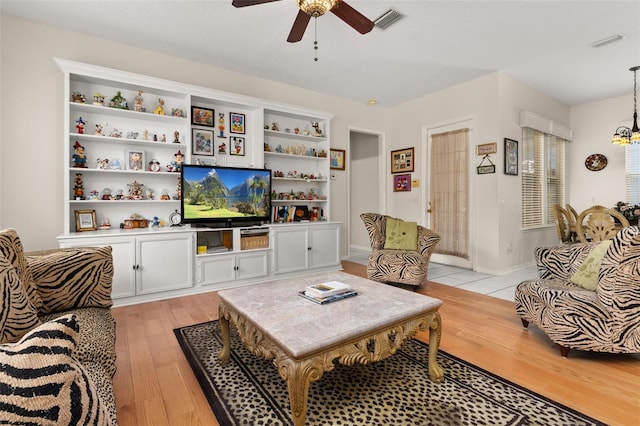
<point x="73" y="278"/>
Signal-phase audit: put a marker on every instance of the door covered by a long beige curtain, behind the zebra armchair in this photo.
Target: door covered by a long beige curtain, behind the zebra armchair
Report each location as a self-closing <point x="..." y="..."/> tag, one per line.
<point x="446" y="168"/>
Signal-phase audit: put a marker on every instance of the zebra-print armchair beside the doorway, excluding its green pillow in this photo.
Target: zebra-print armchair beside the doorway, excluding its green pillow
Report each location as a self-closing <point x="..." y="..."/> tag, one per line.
<point x="407" y="268"/>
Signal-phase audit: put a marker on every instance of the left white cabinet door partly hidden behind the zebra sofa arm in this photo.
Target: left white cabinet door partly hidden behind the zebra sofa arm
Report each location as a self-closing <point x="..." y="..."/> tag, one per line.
<point x="123" y="251"/>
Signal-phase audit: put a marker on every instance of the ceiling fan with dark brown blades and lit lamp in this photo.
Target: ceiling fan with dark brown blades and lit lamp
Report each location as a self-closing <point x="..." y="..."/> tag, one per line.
<point x="315" y="8"/>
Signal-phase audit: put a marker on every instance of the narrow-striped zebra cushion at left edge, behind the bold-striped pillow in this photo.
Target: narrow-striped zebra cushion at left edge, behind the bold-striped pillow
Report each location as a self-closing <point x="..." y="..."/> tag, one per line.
<point x="17" y="314"/>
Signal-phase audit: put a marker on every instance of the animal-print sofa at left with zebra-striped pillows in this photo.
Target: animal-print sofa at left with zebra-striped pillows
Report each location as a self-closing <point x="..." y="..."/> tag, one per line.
<point x="57" y="335"/>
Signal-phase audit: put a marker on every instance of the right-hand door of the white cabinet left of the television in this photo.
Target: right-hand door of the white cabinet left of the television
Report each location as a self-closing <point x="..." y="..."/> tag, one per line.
<point x="164" y="262"/>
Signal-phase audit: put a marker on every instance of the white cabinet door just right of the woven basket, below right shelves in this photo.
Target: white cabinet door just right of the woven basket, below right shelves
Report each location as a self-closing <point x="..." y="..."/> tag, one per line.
<point x="291" y="244"/>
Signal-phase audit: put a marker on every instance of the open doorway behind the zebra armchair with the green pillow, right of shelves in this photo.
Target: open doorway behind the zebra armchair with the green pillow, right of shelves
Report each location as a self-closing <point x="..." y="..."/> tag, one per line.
<point x="365" y="167"/>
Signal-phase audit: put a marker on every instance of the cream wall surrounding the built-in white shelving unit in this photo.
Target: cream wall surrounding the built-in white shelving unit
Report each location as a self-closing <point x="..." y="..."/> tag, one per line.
<point x="31" y="175"/>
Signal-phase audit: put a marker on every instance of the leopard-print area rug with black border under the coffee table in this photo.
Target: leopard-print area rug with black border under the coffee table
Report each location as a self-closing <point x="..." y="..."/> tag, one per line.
<point x="397" y="391"/>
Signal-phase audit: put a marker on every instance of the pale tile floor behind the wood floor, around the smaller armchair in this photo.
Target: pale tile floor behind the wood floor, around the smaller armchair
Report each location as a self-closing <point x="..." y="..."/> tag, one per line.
<point x="501" y="286"/>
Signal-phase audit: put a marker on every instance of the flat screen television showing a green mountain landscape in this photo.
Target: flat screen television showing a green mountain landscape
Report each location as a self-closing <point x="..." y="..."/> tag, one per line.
<point x="218" y="196"/>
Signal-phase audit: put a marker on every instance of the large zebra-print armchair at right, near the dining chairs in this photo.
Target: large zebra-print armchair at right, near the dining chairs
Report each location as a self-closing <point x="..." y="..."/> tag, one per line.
<point x="604" y="320"/>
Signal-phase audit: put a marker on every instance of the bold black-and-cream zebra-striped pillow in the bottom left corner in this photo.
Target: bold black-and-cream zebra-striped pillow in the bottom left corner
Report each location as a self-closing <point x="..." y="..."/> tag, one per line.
<point x="42" y="384"/>
